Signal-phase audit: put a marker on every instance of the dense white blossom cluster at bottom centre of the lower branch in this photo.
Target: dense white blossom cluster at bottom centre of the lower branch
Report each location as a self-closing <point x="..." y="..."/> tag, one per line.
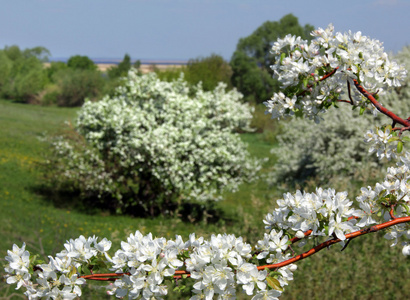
<point x="216" y="266"/>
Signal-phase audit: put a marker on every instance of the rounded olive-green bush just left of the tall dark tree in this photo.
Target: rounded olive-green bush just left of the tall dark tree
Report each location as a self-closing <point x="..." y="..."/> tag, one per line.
<point x="208" y="70"/>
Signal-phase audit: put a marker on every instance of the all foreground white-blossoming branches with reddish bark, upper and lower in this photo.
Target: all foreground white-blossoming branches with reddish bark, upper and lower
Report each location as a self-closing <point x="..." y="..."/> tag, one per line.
<point x="313" y="76"/>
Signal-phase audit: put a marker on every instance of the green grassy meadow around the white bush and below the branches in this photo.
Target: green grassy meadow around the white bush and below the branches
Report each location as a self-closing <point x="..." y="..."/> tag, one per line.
<point x="368" y="269"/>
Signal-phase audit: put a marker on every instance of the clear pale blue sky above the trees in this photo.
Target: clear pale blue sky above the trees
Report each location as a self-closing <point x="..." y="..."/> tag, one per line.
<point x="183" y="29"/>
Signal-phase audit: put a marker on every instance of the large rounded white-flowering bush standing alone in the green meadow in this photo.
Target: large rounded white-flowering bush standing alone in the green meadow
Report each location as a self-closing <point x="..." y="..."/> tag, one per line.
<point x="152" y="144"/>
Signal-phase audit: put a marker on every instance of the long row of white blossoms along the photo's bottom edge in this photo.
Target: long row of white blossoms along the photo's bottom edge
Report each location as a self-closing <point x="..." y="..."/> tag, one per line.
<point x="143" y="263"/>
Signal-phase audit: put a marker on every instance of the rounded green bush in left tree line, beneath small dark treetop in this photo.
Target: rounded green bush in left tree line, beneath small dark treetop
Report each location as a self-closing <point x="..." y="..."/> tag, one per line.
<point x="76" y="85"/>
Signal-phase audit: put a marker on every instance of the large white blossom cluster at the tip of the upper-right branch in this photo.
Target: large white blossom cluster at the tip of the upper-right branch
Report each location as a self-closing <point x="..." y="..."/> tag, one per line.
<point x="300" y="67"/>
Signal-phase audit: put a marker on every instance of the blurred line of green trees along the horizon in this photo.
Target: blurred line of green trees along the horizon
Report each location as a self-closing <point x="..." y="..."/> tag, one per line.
<point x="23" y="77"/>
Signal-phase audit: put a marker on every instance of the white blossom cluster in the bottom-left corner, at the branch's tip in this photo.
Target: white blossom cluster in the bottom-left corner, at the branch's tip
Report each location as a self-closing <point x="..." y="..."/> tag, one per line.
<point x="59" y="279"/>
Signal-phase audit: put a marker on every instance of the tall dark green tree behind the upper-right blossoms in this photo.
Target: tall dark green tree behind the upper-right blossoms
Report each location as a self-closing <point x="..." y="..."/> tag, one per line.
<point x="251" y="61"/>
